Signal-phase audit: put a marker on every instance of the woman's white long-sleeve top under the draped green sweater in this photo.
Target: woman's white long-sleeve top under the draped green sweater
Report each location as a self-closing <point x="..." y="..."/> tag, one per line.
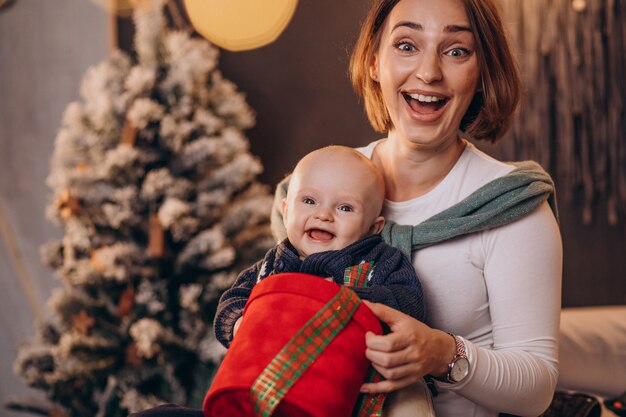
<point x="500" y="290"/>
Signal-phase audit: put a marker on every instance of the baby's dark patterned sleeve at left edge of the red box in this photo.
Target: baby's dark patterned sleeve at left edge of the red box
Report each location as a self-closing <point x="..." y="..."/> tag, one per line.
<point x="232" y="302"/>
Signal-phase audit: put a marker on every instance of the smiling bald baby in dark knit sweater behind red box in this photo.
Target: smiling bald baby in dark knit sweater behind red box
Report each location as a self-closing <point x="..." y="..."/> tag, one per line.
<point x="332" y="214"/>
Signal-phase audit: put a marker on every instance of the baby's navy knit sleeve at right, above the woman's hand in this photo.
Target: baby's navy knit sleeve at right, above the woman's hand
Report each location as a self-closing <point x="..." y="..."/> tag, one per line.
<point x="395" y="284"/>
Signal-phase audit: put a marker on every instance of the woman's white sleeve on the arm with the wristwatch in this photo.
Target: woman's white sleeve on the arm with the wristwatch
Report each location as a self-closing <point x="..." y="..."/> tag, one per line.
<point x="523" y="266"/>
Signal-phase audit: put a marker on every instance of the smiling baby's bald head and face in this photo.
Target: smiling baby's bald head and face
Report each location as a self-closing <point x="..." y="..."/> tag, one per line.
<point x="333" y="200"/>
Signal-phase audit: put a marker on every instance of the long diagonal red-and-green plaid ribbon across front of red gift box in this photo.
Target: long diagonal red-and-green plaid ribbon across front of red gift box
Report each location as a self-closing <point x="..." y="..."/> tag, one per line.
<point x="300" y="352"/>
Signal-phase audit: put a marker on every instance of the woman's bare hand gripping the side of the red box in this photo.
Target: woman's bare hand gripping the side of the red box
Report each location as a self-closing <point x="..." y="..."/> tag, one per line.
<point x="409" y="352"/>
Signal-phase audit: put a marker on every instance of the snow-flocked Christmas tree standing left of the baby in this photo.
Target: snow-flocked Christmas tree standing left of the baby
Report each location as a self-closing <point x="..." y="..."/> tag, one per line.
<point x="156" y="190"/>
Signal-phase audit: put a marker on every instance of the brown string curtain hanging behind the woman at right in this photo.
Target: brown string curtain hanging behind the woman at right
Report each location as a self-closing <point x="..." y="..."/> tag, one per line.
<point x="571" y="54"/>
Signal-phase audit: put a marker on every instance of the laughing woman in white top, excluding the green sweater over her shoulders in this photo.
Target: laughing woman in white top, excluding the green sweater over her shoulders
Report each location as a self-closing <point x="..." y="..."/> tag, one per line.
<point x="431" y="73"/>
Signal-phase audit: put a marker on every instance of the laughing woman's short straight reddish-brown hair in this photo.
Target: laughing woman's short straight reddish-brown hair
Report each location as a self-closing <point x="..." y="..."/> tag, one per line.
<point x="490" y="112"/>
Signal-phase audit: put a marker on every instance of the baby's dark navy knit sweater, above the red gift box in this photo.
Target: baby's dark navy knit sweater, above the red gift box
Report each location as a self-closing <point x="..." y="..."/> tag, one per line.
<point x="392" y="281"/>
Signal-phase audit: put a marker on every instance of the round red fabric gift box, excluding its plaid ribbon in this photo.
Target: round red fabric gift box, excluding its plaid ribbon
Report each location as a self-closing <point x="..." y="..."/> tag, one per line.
<point x="277" y="308"/>
